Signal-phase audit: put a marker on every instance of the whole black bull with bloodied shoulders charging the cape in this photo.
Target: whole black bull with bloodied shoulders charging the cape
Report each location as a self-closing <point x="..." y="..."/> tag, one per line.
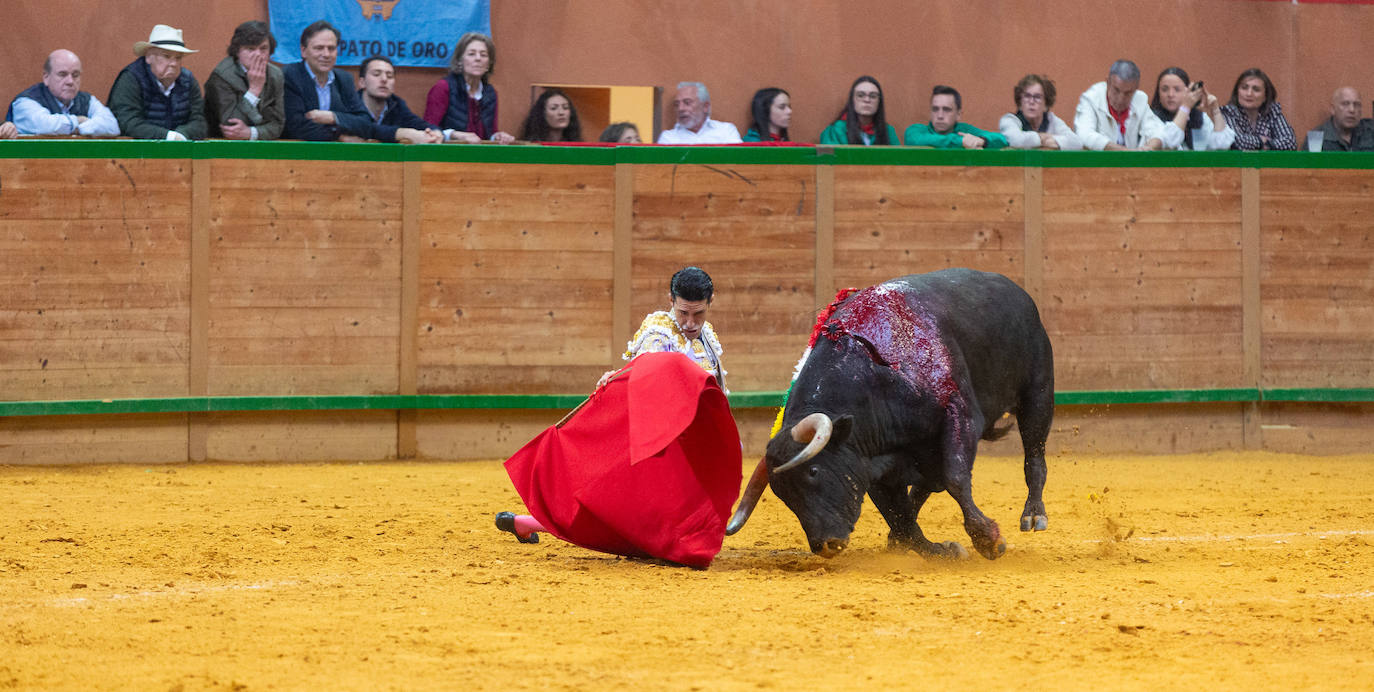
<point x="903" y="381"/>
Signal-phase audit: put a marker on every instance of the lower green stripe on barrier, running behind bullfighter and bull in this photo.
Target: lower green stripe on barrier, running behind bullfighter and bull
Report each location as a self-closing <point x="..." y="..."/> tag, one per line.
<point x="567" y="402"/>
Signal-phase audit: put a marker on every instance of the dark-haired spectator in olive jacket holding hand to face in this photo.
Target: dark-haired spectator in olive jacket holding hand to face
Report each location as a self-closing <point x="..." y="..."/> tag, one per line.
<point x="244" y="94"/>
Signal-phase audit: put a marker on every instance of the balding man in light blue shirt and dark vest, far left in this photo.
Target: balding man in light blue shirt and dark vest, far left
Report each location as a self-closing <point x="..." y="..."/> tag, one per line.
<point x="58" y="106"/>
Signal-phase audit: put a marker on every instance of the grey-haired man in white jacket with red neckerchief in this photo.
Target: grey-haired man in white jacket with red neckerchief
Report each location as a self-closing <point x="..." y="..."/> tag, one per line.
<point x="1115" y="115"/>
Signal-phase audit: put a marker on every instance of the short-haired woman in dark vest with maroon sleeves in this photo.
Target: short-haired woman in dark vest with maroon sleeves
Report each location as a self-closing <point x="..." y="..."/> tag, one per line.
<point x="464" y="104"/>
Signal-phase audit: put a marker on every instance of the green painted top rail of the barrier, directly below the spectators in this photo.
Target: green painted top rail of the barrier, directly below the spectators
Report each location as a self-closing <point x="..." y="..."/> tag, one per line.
<point x="597" y="156"/>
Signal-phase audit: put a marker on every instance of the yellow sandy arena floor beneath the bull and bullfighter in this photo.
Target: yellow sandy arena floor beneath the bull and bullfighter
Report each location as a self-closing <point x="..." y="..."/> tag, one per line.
<point x="1228" y="570"/>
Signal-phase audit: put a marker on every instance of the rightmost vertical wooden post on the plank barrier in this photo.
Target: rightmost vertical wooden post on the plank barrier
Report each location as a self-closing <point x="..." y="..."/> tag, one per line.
<point x="1251" y="344"/>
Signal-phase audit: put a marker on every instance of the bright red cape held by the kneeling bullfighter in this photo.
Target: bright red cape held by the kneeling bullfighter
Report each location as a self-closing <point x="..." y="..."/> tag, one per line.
<point x="651" y="466"/>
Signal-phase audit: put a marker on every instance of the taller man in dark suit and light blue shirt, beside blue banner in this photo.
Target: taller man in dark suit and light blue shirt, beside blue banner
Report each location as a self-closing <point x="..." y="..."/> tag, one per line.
<point x="322" y="104"/>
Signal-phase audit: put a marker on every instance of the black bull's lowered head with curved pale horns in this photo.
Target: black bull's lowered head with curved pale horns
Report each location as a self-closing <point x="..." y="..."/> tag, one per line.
<point x="818" y="476"/>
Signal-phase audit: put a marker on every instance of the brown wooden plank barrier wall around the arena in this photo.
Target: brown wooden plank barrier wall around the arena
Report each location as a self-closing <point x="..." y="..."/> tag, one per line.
<point x="269" y="270"/>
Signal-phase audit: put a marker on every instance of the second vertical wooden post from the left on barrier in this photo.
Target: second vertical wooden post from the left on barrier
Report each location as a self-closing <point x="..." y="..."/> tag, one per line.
<point x="407" y="374"/>
